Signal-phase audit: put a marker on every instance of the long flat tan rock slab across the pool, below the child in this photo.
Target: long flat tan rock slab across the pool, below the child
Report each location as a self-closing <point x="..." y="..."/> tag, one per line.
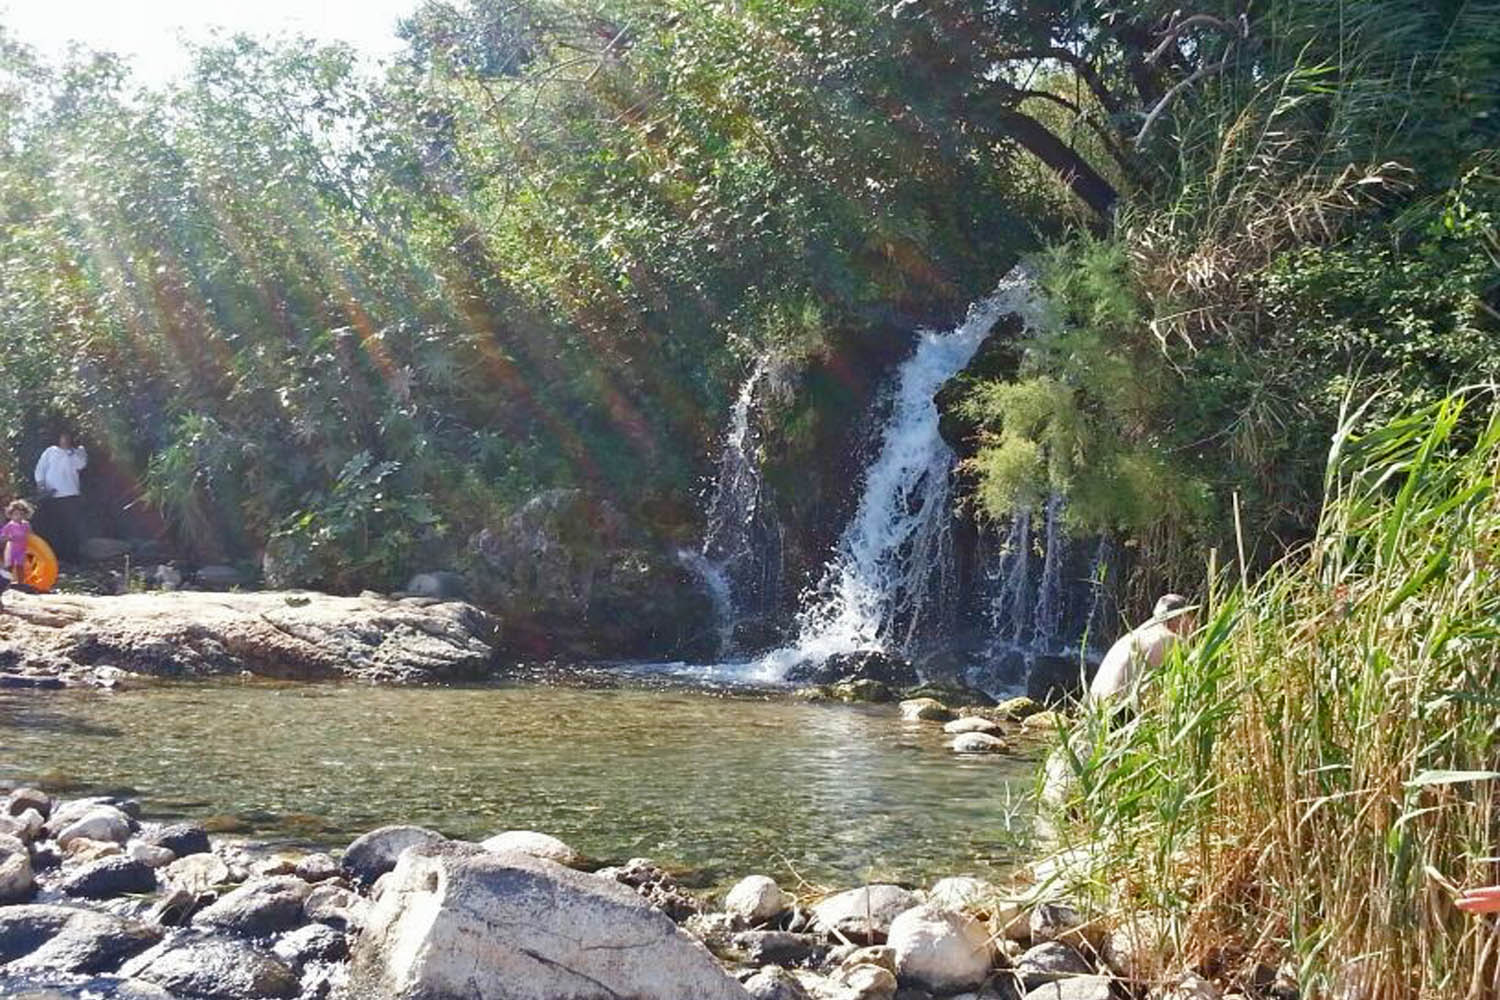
<point x="274" y="633"/>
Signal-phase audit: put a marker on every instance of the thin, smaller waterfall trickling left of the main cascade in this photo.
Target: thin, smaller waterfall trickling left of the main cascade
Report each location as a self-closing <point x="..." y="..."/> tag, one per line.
<point x="740" y="561"/>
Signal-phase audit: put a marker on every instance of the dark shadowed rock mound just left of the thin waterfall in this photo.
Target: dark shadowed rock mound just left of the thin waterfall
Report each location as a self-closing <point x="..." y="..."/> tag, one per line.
<point x="571" y="575"/>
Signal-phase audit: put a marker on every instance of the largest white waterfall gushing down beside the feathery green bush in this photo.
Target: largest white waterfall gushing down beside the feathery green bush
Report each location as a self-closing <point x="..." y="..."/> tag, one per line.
<point x="887" y="575"/>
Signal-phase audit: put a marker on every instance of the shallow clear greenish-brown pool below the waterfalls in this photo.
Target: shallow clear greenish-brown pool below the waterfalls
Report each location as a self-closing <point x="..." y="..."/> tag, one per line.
<point x="715" y="785"/>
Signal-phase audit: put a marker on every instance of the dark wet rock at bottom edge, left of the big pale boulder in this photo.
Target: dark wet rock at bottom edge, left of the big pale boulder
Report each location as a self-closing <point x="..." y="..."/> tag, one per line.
<point x="215" y="969"/>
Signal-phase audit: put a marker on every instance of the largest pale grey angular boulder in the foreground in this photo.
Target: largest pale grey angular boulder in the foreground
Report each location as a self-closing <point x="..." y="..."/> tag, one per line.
<point x="566" y="935"/>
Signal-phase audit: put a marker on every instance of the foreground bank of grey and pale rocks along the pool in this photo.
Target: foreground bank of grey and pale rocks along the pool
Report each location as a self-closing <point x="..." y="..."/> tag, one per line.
<point x="98" y="902"/>
